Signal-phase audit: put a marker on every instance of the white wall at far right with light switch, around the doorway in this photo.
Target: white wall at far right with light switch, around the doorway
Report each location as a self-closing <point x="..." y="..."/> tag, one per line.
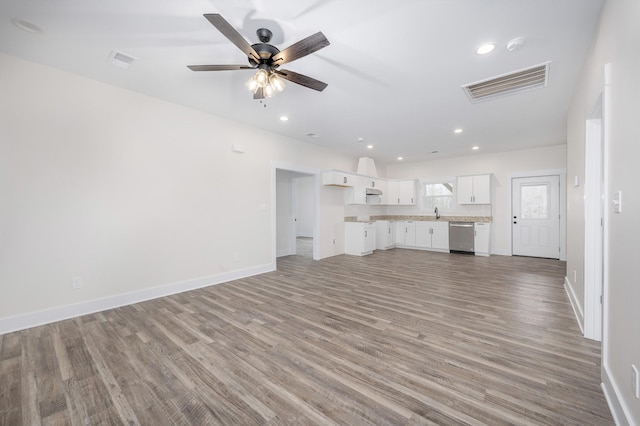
<point x="617" y="43"/>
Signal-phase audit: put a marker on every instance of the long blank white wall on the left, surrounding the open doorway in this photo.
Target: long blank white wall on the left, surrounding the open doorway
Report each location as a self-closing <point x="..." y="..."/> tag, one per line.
<point x="136" y="196"/>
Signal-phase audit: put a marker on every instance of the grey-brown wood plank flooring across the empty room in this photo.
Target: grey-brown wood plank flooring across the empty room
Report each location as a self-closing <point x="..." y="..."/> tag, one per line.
<point x="400" y="337"/>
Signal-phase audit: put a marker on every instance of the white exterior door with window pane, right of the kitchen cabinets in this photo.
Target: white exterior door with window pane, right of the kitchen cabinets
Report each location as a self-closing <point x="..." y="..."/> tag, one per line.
<point x="536" y="216"/>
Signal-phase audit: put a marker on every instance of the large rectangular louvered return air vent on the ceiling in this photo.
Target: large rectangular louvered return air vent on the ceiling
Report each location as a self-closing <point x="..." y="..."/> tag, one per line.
<point x="507" y="84"/>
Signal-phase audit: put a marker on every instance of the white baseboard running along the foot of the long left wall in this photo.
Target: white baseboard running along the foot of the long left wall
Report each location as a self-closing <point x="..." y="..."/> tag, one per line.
<point x="34" y="319"/>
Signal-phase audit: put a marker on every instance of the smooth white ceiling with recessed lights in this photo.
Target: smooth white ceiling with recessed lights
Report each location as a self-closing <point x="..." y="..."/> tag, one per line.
<point x="394" y="70"/>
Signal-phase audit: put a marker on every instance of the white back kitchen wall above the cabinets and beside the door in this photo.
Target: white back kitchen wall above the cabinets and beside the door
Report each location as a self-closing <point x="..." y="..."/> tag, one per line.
<point x="502" y="166"/>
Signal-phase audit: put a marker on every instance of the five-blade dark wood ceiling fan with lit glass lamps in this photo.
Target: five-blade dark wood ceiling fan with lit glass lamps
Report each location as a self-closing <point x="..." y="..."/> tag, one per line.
<point x="267" y="59"/>
